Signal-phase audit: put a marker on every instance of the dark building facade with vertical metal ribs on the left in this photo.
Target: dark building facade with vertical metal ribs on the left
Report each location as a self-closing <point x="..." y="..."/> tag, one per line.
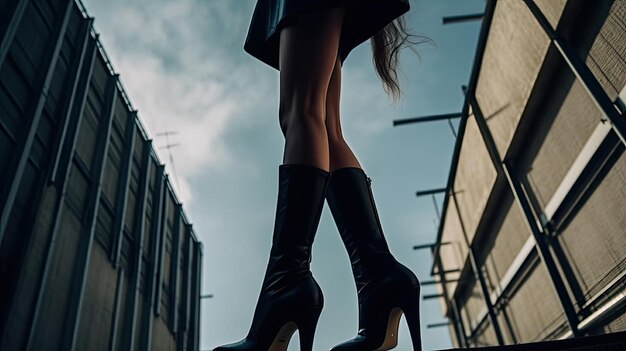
<point x="96" y="252"/>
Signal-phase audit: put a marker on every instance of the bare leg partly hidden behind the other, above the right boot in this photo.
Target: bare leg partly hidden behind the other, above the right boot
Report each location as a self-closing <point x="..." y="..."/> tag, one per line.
<point x="341" y="155"/>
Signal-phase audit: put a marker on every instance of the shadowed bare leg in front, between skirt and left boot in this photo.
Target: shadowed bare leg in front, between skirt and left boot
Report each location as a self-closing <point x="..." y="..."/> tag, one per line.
<point x="308" y="51"/>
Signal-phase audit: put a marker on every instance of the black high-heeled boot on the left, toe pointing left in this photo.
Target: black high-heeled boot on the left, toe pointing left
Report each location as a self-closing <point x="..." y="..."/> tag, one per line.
<point x="290" y="298"/>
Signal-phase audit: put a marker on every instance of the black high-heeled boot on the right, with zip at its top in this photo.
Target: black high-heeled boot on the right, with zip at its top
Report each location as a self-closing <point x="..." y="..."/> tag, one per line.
<point x="385" y="288"/>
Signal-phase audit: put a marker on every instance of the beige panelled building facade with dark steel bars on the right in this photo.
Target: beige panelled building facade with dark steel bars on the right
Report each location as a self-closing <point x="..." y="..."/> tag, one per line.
<point x="532" y="240"/>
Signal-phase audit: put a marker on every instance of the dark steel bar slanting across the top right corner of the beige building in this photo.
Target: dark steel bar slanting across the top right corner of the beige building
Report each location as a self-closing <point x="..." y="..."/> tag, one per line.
<point x="583" y="74"/>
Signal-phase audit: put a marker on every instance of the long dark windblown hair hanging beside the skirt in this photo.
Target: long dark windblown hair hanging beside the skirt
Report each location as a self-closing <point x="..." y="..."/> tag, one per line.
<point x="386" y="45"/>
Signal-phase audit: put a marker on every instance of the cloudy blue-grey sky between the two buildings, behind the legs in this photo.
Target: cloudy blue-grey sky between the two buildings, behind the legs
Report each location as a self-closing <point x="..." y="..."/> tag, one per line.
<point x="183" y="66"/>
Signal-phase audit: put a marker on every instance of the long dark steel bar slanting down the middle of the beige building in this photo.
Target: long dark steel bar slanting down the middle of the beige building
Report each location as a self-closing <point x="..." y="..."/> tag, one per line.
<point x="520" y="198"/>
